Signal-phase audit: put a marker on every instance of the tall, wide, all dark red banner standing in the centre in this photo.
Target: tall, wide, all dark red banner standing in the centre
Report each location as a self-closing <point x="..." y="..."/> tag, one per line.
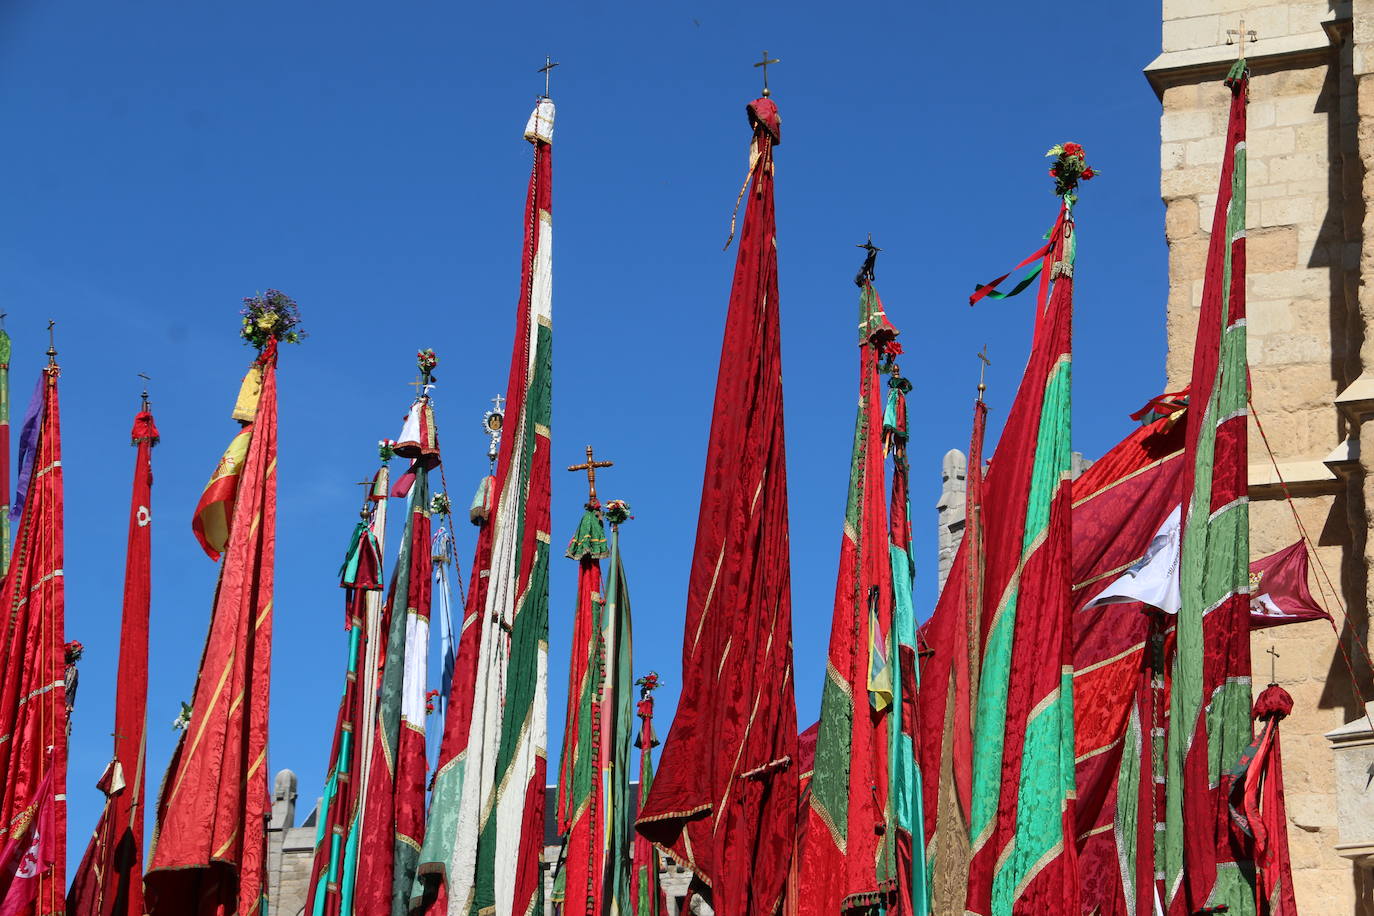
<point x="725" y="800"/>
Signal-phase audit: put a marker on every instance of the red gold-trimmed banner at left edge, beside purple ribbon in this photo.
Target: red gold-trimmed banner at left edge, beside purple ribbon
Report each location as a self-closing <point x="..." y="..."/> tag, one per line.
<point x="34" y="719"/>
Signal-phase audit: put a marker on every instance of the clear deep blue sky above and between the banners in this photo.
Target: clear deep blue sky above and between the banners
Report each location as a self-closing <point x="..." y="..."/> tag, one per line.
<point x="164" y="160"/>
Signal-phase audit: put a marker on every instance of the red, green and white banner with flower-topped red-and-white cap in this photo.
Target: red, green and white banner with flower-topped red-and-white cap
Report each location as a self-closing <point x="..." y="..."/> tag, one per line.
<point x="394" y="808"/>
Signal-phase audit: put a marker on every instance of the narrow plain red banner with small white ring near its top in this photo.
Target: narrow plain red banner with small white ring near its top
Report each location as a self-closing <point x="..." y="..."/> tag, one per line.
<point x="109" y="882"/>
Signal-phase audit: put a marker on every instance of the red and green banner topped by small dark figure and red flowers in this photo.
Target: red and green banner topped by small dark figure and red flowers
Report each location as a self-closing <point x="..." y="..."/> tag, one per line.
<point x="847" y="856"/>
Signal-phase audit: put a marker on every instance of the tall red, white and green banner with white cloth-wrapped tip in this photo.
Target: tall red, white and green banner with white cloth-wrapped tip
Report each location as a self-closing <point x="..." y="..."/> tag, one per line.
<point x="486" y="829"/>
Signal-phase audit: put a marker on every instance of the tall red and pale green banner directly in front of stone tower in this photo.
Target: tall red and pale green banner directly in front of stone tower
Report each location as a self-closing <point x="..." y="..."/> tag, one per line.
<point x="1210" y="700"/>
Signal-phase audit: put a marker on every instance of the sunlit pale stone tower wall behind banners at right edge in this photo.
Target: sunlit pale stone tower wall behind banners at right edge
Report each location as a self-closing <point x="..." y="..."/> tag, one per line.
<point x="1310" y="252"/>
